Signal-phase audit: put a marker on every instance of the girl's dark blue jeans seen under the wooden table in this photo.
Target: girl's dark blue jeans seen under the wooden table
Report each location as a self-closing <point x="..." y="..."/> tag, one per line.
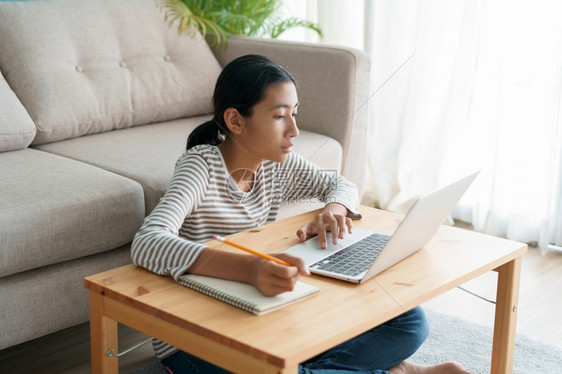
<point x="373" y="352"/>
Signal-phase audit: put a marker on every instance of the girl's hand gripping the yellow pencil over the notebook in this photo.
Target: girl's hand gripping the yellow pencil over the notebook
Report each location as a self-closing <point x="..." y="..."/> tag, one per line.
<point x="272" y="279"/>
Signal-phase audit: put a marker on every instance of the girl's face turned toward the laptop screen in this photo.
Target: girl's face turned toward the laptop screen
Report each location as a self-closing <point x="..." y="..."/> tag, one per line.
<point x="270" y="130"/>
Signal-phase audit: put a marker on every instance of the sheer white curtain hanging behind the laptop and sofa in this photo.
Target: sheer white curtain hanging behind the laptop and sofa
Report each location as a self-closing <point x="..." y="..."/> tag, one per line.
<point x="460" y="85"/>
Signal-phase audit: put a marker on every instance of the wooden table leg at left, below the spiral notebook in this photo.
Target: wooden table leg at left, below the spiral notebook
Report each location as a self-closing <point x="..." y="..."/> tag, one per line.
<point x="103" y="337"/>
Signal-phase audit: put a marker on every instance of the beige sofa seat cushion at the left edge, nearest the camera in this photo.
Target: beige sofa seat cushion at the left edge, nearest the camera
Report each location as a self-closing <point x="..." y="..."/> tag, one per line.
<point x="56" y="209"/>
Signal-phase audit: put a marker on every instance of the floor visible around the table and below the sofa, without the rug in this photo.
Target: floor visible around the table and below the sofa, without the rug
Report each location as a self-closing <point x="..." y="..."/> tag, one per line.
<point x="540" y="304"/>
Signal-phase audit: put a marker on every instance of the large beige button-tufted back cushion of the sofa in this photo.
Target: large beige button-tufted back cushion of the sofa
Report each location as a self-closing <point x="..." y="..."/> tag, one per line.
<point x="89" y="66"/>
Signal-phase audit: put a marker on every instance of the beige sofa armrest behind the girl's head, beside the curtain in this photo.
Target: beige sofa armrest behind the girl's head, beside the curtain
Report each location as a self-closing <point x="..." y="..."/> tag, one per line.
<point x="333" y="86"/>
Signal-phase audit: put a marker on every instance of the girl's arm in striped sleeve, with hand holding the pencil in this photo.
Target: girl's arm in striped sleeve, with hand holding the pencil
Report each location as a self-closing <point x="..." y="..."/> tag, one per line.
<point x="158" y="248"/>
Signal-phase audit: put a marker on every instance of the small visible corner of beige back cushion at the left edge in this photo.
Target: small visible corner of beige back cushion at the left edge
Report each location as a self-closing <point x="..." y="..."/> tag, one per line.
<point x="16" y="127"/>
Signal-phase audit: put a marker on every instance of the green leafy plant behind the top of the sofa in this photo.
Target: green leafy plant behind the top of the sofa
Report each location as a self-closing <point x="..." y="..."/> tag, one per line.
<point x="216" y="19"/>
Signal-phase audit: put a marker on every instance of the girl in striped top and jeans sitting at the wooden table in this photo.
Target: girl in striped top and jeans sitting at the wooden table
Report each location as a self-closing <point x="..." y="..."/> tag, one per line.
<point x="237" y="170"/>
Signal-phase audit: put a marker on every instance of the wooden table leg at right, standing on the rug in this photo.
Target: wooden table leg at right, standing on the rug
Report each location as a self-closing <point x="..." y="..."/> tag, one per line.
<point x="507" y="298"/>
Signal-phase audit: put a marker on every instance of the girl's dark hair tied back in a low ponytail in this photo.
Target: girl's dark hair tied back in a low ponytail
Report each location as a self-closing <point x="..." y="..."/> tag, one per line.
<point x="241" y="85"/>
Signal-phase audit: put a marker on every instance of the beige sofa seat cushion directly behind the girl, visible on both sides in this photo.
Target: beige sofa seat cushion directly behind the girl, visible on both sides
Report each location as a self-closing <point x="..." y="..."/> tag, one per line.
<point x="147" y="154"/>
